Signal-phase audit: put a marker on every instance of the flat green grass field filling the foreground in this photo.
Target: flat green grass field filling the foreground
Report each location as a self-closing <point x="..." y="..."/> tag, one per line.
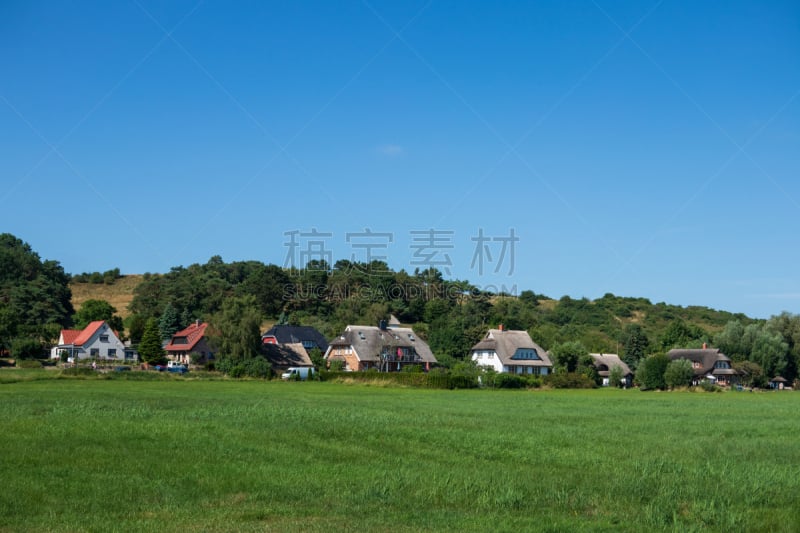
<point x="184" y="455"/>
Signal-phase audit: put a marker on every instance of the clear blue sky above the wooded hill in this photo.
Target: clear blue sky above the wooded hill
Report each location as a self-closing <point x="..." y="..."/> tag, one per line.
<point x="640" y="148"/>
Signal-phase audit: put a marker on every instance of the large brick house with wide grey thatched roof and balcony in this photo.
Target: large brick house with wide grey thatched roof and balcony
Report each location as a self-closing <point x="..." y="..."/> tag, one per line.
<point x="384" y="348"/>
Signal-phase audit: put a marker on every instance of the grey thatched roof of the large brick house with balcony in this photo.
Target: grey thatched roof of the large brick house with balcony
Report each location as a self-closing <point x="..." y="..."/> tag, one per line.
<point x="369" y="341"/>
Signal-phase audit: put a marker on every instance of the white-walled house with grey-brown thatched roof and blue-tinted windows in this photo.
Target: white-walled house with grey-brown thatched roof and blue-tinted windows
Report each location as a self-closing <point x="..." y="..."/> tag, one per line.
<point x="511" y="352"/>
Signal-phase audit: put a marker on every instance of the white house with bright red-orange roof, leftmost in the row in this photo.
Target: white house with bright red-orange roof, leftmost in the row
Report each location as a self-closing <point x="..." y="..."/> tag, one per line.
<point x="96" y="341"/>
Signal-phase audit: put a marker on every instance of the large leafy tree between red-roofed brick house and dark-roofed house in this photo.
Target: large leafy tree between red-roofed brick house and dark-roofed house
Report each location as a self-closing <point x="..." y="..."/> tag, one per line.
<point x="237" y="328"/>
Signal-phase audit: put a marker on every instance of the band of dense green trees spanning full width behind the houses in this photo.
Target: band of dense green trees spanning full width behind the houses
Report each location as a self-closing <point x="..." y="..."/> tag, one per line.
<point x="451" y="315"/>
